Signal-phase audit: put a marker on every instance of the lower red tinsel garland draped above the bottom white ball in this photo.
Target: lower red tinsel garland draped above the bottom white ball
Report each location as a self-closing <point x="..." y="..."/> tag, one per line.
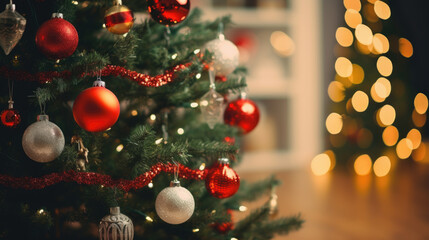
<point x="92" y="178"/>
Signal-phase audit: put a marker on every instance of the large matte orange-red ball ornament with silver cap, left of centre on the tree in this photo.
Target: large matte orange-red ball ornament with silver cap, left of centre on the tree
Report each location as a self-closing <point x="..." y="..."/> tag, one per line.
<point x="96" y="109"/>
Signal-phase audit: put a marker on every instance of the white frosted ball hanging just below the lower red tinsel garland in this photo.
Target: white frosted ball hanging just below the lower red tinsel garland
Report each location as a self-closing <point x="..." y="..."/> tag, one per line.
<point x="175" y="204"/>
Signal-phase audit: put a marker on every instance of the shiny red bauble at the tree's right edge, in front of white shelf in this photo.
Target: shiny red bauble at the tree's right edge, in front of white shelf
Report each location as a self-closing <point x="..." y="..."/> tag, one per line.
<point x="243" y="113"/>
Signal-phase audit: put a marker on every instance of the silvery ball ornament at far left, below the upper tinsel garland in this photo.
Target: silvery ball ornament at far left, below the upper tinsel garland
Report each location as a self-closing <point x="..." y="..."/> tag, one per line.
<point x="43" y="141"/>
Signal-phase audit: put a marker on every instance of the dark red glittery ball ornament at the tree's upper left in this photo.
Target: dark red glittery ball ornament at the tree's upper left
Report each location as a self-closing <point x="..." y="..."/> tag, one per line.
<point x="57" y="38"/>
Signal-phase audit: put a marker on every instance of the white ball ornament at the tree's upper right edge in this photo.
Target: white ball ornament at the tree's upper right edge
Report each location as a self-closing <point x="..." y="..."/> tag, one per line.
<point x="225" y="56"/>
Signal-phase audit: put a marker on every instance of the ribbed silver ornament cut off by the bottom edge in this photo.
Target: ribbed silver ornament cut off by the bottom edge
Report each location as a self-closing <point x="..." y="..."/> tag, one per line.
<point x="116" y="226"/>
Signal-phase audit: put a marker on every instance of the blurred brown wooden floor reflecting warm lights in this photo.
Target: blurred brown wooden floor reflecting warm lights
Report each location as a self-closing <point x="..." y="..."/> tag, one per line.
<point x="343" y="206"/>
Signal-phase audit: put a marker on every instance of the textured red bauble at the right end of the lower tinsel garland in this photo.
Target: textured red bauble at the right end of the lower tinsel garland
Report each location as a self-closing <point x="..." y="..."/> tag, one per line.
<point x="221" y="180"/>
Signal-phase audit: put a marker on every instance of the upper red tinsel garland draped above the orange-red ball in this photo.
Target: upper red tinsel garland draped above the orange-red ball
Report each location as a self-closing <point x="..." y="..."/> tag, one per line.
<point x="110" y="70"/>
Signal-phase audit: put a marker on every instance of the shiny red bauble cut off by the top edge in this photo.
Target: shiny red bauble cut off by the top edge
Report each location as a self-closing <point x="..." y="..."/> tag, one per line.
<point x="168" y="12"/>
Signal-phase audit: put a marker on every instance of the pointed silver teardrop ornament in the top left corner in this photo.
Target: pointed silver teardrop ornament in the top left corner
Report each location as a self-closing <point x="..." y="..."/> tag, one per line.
<point x="12" y="26"/>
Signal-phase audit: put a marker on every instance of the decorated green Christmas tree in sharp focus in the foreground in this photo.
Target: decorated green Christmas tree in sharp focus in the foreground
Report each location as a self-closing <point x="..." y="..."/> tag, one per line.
<point x="106" y="109"/>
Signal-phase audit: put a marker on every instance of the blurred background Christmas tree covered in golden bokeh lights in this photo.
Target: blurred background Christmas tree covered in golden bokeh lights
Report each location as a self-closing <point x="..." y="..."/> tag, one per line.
<point x="376" y="117"/>
